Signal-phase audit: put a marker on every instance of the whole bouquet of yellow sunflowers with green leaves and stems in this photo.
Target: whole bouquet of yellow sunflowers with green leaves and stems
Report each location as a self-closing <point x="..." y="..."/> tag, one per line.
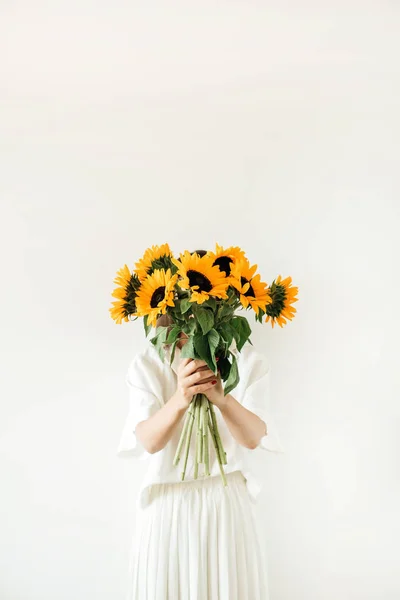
<point x="201" y="292"/>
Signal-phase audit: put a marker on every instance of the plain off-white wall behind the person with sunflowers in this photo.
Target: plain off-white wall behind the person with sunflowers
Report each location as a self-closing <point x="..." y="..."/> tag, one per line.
<point x="270" y="125"/>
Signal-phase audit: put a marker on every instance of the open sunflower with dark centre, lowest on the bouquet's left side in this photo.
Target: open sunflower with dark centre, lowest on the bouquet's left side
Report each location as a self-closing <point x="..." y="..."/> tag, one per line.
<point x="155" y="294"/>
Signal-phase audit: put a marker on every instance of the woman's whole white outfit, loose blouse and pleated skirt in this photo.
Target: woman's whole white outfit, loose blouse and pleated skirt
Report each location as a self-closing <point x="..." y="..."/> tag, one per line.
<point x="196" y="539"/>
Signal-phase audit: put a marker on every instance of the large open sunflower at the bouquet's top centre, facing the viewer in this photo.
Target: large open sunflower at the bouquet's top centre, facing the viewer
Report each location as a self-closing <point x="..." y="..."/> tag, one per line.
<point x="200" y="277"/>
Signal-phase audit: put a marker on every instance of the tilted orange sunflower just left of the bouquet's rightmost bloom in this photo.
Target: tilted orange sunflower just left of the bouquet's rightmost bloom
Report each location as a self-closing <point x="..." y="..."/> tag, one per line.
<point x="252" y="291"/>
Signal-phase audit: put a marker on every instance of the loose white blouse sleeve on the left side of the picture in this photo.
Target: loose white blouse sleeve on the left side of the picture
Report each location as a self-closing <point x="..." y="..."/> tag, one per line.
<point x="143" y="403"/>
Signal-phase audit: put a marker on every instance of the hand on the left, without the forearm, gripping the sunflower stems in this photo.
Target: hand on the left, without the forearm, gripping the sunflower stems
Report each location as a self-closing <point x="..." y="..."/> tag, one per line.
<point x="194" y="377"/>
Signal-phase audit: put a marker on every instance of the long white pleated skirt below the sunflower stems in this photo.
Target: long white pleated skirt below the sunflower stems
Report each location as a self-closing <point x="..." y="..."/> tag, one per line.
<point x="198" y="540"/>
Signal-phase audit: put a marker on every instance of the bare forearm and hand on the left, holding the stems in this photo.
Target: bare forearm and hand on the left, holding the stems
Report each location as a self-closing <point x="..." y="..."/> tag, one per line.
<point x="157" y="430"/>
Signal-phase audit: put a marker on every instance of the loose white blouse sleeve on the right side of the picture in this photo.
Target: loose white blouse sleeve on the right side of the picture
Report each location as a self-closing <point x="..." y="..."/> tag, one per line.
<point x="257" y="398"/>
